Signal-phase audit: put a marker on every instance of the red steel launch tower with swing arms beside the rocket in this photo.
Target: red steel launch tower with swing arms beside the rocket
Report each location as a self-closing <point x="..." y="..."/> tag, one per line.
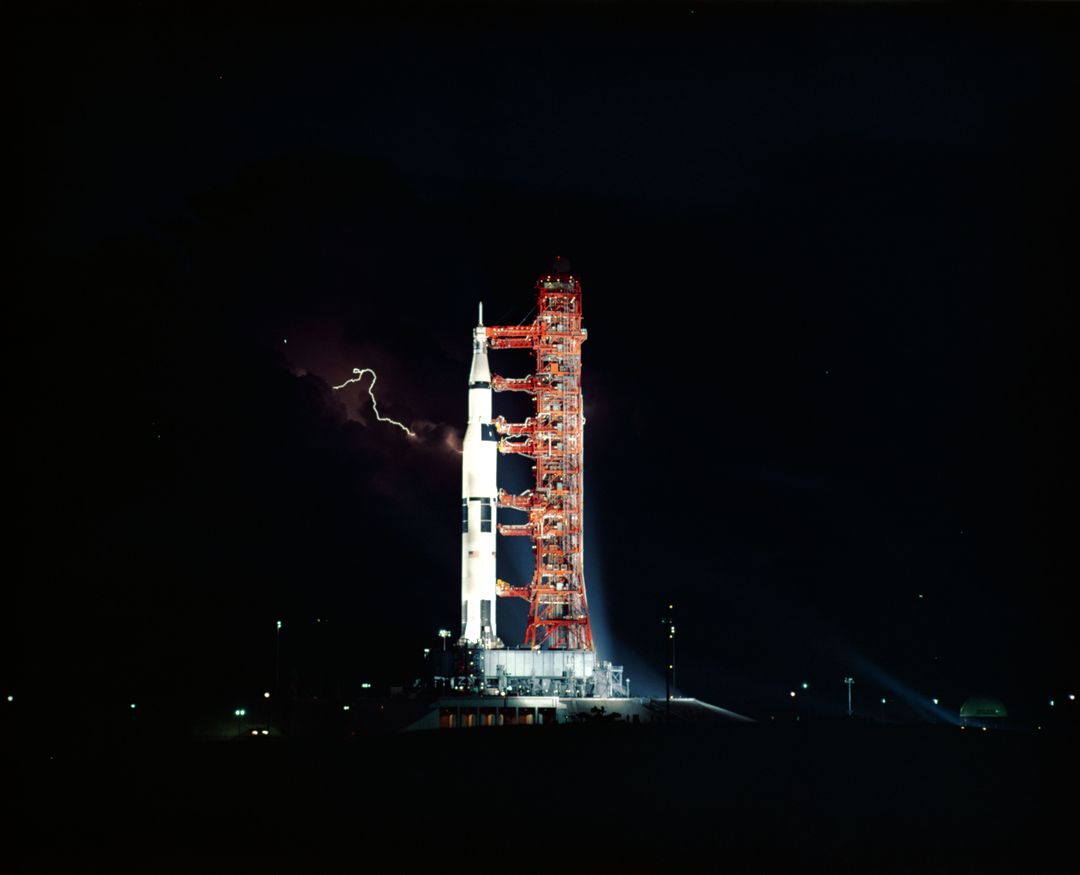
<point x="553" y="439"/>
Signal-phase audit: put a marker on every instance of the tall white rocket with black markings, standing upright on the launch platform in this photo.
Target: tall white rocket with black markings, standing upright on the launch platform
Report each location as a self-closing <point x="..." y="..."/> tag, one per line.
<point x="479" y="497"/>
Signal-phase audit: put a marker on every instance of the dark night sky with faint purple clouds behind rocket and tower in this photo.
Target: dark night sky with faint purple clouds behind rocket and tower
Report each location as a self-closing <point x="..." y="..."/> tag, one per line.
<point x="830" y="278"/>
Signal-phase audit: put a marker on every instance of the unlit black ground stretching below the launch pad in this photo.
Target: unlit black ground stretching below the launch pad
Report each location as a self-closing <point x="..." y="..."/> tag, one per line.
<point x="831" y="798"/>
